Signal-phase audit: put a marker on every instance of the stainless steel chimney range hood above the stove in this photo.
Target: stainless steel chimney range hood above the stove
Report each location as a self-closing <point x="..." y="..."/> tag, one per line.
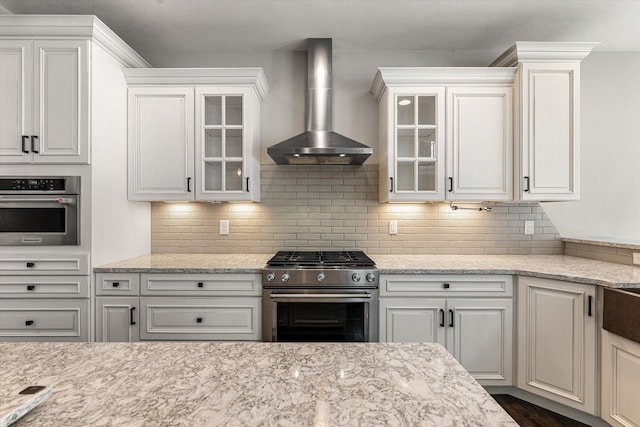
<point x="319" y="144"/>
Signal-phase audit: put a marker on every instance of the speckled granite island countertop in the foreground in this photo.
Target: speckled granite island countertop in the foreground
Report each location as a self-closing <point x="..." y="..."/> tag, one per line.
<point x="195" y="384"/>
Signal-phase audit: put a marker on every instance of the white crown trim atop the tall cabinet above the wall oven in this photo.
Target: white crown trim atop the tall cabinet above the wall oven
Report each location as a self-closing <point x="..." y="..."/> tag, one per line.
<point x="71" y="26"/>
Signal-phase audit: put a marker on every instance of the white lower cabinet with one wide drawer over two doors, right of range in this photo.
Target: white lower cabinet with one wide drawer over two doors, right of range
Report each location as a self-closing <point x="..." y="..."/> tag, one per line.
<point x="472" y="316"/>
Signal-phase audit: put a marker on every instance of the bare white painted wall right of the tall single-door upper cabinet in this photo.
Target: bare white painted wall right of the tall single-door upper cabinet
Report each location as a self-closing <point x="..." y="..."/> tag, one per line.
<point x="609" y="206"/>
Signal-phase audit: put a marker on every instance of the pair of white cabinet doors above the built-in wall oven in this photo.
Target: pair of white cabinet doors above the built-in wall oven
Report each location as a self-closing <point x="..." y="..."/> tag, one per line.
<point x="44" y="107"/>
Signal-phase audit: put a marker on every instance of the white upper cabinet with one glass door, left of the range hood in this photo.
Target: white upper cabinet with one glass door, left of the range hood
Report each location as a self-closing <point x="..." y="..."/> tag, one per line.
<point x="194" y="134"/>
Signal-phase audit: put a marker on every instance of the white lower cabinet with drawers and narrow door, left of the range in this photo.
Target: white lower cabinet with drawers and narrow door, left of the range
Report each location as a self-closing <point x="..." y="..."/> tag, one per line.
<point x="132" y="307"/>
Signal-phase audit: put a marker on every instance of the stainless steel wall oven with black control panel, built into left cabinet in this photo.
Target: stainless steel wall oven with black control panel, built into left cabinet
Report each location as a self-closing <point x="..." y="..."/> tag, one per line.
<point x="39" y="211"/>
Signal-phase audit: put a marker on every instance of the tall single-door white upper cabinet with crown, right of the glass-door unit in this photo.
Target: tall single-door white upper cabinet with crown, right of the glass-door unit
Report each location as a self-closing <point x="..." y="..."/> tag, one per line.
<point x="547" y="118"/>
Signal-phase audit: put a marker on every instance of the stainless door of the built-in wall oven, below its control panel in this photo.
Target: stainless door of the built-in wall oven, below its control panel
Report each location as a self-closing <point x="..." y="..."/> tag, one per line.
<point x="39" y="220"/>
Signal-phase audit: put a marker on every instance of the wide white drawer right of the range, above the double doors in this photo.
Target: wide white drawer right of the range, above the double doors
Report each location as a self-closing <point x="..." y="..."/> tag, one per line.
<point x="446" y="286"/>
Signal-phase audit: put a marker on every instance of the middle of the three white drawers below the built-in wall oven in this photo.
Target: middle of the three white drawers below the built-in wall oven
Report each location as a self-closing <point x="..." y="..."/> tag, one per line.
<point x="44" y="287"/>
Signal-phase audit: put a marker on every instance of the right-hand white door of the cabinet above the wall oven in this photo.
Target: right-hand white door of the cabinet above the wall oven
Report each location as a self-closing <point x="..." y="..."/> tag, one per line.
<point x="61" y="106"/>
